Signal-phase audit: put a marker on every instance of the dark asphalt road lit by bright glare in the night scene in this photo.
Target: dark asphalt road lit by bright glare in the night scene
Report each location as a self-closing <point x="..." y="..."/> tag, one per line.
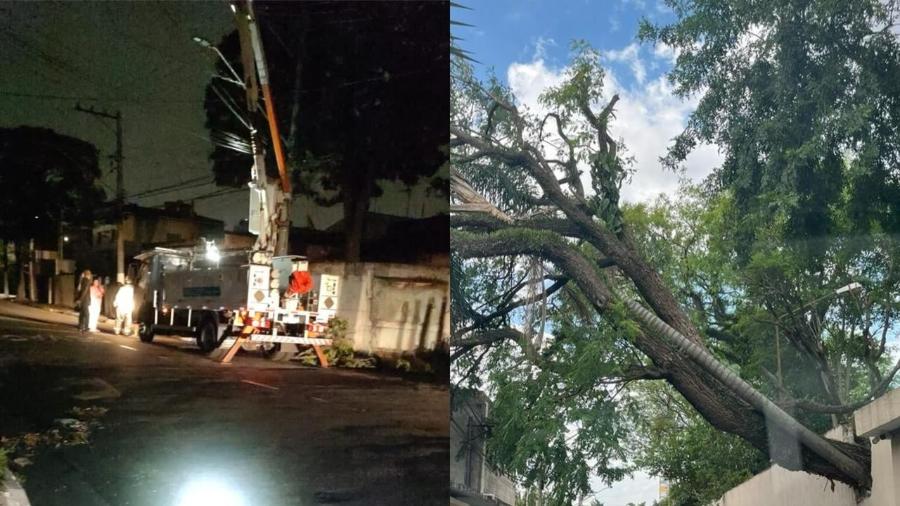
<point x="183" y="430"/>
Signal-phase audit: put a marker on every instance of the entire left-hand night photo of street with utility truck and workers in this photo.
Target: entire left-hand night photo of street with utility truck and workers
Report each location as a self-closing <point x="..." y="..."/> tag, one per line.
<point x="220" y="278"/>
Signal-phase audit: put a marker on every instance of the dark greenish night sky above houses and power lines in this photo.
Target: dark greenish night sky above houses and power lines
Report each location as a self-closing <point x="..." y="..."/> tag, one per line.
<point x="137" y="57"/>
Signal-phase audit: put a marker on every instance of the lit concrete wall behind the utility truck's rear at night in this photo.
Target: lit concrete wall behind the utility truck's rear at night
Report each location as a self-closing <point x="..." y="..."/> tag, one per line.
<point x="392" y="308"/>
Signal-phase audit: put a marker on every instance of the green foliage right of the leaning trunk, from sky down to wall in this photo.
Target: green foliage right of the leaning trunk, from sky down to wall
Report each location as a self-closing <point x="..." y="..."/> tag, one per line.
<point x="802" y="99"/>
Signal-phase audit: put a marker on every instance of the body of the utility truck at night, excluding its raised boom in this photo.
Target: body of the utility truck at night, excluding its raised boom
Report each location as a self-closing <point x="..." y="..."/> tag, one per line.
<point x="211" y="296"/>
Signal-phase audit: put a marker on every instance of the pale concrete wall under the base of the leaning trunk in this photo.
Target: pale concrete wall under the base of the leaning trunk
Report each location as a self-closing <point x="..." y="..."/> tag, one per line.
<point x="777" y="486"/>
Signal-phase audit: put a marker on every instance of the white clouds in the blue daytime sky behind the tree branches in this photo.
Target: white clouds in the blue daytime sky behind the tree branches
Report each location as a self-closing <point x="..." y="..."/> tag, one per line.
<point x="648" y="117"/>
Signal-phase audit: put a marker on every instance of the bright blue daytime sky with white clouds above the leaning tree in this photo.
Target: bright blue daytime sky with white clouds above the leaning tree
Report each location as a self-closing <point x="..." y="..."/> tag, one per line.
<point x="526" y="44"/>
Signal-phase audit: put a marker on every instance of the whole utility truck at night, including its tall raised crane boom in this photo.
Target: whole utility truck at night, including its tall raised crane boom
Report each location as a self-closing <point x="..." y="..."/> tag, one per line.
<point x="261" y="297"/>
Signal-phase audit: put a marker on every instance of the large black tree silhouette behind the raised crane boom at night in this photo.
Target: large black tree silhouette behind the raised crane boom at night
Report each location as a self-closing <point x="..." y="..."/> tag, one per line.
<point x="361" y="95"/>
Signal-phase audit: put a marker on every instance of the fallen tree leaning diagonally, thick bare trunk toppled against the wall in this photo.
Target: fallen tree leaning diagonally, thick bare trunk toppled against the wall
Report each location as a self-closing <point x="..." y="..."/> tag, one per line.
<point x="519" y="199"/>
